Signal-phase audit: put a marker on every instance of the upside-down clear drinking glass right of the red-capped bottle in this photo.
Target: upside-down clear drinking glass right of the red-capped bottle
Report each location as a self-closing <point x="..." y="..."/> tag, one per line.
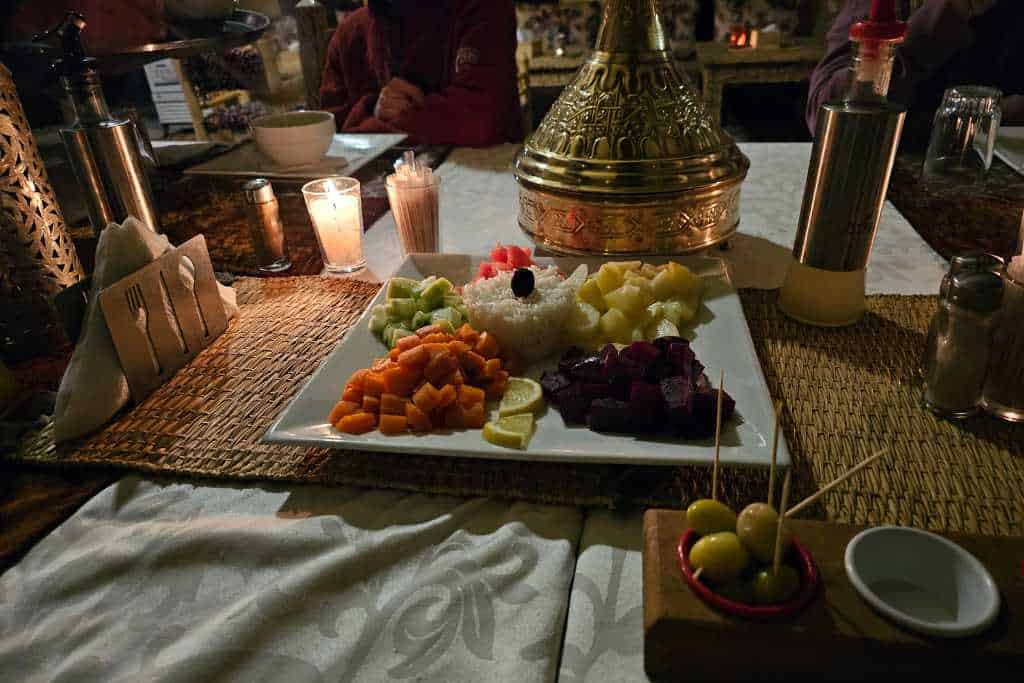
<point x="964" y="134"/>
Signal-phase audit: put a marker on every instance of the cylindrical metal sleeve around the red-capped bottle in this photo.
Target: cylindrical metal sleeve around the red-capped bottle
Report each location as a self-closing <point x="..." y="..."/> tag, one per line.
<point x="854" y="156"/>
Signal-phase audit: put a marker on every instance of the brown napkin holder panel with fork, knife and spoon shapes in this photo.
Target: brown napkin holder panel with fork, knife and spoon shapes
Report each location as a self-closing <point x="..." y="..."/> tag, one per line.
<point x="158" y="321"/>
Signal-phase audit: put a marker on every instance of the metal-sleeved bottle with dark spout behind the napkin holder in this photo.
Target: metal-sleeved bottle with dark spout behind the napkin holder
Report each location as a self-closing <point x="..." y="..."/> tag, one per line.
<point x="105" y="153"/>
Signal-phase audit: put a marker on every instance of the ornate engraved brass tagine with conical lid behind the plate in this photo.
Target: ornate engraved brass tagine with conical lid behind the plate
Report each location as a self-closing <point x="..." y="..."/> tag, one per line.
<point x="627" y="160"/>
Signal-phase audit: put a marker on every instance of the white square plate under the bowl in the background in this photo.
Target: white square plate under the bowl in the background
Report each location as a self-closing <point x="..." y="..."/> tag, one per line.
<point x="348" y="154"/>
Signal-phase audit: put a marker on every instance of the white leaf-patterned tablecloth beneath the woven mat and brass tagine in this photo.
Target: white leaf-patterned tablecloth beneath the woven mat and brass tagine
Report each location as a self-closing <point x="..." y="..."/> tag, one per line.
<point x="155" y="581"/>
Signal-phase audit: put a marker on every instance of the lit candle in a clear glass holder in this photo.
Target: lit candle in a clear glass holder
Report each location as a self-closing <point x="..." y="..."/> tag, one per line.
<point x="335" y="207"/>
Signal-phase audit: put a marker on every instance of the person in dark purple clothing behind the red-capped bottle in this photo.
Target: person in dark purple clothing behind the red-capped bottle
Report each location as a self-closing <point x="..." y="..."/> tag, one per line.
<point x="950" y="42"/>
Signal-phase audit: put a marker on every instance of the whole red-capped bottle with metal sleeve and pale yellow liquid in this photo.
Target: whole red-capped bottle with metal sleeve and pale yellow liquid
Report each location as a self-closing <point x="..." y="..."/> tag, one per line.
<point x="855" y="150"/>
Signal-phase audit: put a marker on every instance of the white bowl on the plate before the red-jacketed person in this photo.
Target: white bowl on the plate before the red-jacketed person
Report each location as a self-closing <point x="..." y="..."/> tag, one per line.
<point x="295" y="139"/>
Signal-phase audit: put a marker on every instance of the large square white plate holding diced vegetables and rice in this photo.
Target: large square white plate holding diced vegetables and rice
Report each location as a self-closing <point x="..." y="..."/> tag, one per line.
<point x="722" y="341"/>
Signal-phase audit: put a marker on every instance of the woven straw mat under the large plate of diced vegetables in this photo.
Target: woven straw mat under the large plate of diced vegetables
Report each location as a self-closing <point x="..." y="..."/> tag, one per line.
<point x="847" y="393"/>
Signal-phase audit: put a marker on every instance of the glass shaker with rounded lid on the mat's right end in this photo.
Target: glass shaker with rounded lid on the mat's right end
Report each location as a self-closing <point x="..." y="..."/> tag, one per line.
<point x="959" y="341"/>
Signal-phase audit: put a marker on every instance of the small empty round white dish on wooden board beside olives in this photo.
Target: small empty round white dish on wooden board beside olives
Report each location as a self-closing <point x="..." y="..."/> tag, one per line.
<point x="922" y="581"/>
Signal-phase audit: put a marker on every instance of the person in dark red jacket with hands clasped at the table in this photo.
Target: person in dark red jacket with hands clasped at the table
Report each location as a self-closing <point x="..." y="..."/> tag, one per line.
<point x="444" y="72"/>
